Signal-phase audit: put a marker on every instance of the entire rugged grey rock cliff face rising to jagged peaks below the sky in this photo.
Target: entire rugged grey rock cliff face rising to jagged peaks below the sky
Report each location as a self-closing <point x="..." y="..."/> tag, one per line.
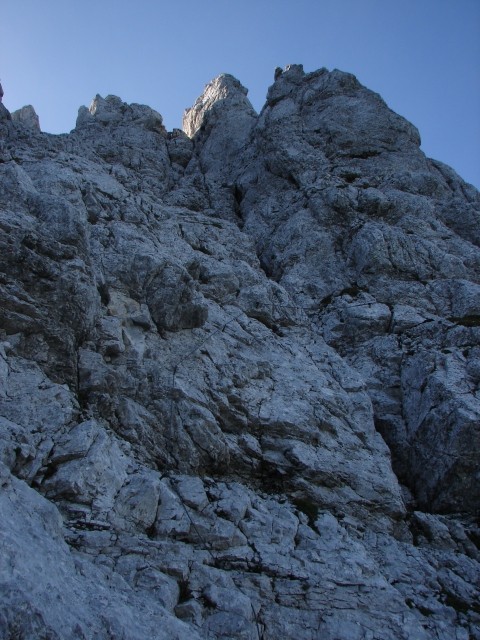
<point x="239" y="373"/>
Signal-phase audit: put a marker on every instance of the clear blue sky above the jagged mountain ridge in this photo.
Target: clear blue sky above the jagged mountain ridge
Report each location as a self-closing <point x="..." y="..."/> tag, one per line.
<point x="422" y="56"/>
